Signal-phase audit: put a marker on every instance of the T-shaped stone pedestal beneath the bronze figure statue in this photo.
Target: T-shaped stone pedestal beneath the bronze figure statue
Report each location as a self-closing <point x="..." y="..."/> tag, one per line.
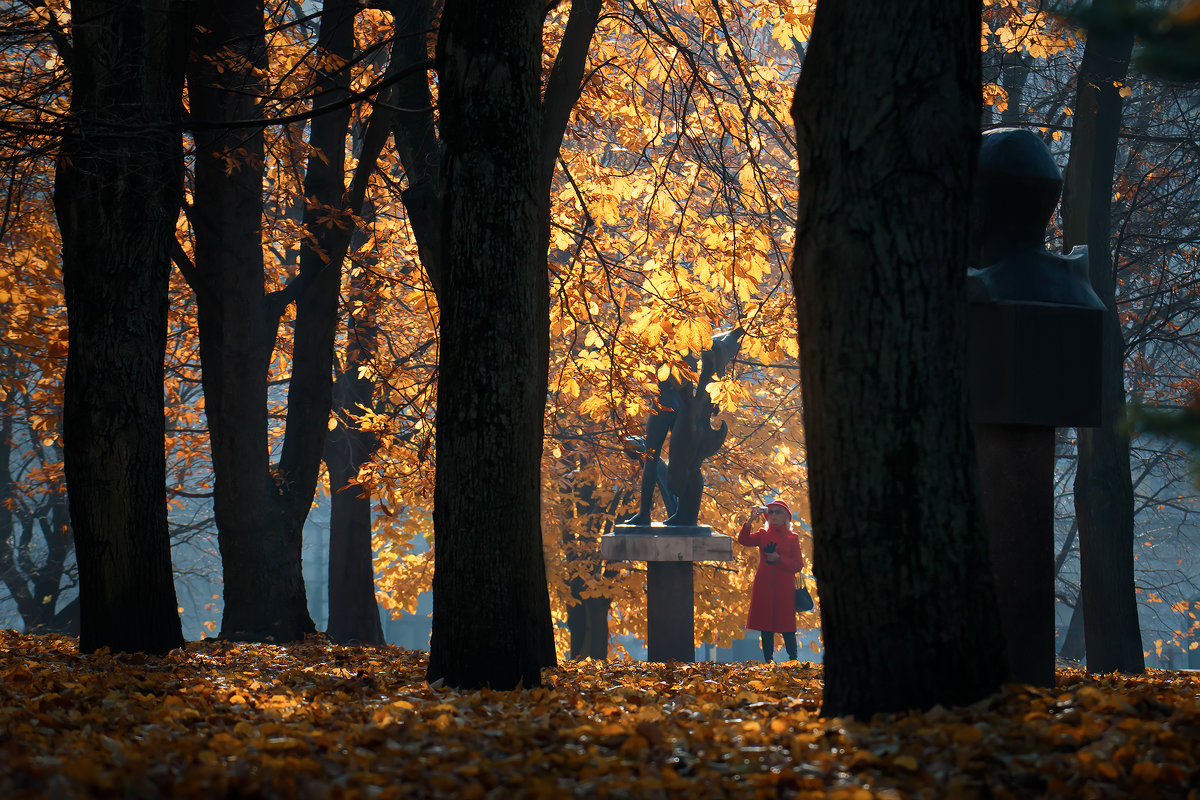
<point x="669" y="552"/>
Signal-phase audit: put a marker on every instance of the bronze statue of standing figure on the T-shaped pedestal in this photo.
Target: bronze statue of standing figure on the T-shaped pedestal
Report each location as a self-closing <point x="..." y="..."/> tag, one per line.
<point x="685" y="412"/>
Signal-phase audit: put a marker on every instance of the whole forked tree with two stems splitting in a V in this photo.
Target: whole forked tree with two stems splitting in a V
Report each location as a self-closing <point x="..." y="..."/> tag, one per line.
<point x="262" y="507"/>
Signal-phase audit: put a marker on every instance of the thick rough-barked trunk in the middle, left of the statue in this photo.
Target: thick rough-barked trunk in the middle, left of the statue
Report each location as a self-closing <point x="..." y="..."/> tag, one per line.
<point x="491" y="606"/>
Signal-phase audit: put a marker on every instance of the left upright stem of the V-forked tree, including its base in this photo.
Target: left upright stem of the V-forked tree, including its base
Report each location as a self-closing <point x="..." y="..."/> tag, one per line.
<point x="265" y="596"/>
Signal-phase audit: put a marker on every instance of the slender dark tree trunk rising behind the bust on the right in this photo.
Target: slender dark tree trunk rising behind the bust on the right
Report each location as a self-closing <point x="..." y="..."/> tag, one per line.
<point x="1105" y="503"/>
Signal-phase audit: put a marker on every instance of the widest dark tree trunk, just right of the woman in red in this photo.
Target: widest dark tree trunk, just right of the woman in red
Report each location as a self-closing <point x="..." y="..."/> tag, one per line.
<point x="887" y="115"/>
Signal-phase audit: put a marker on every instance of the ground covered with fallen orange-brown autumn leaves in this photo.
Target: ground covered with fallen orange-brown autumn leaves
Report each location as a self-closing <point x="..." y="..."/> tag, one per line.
<point x="315" y="720"/>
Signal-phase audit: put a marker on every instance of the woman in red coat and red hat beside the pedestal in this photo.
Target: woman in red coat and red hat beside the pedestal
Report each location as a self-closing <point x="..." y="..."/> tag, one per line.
<point x="773" y="597"/>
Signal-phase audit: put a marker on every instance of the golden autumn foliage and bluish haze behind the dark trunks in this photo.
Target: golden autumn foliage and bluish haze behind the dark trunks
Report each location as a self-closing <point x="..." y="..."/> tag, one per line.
<point x="673" y="208"/>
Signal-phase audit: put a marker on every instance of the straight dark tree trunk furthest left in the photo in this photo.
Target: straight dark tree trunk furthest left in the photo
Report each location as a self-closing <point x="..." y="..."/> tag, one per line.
<point x="117" y="195"/>
